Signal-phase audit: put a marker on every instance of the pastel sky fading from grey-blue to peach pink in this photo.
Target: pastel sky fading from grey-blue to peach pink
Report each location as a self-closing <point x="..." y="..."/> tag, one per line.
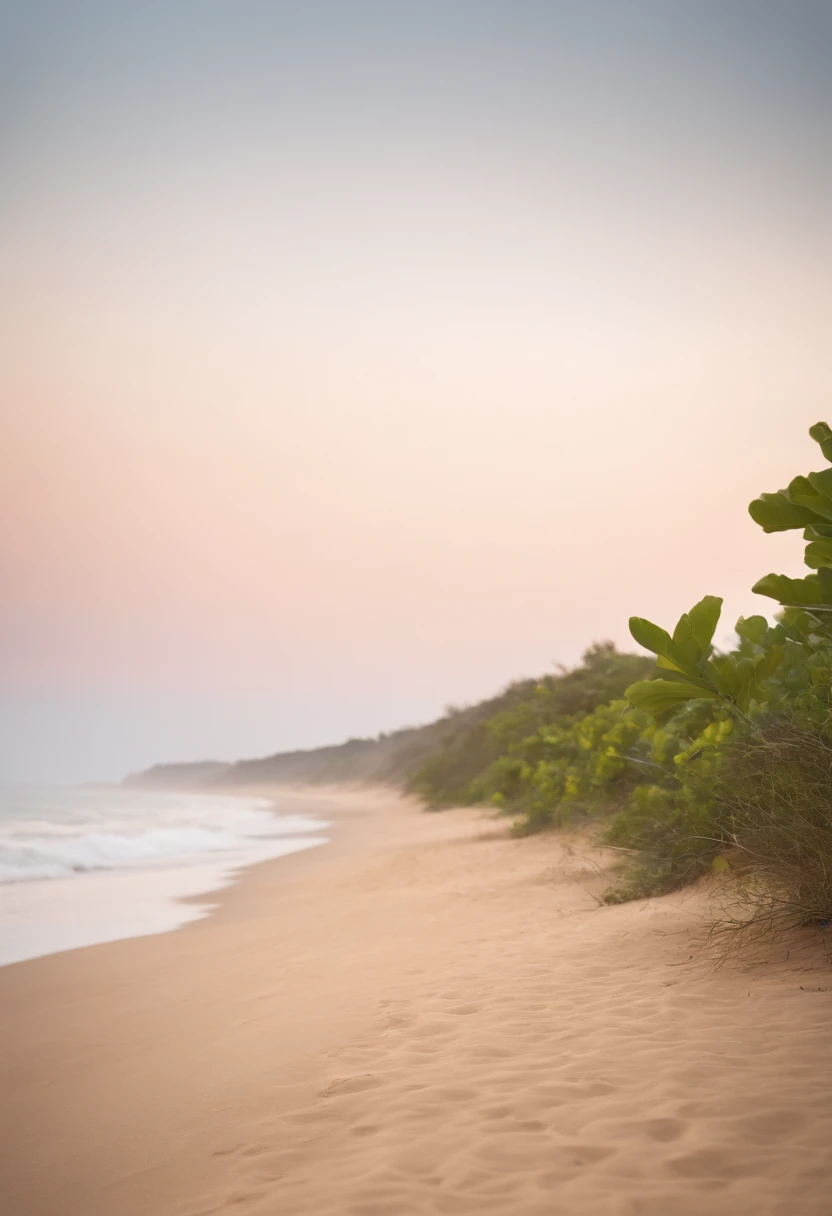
<point x="358" y="358"/>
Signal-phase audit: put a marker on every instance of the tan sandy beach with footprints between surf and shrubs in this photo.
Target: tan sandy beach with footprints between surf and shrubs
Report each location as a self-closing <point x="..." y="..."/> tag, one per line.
<point x="421" y="1017"/>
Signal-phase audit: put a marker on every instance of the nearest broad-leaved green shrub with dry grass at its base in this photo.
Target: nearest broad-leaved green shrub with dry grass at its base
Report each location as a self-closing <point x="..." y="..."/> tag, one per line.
<point x="755" y="782"/>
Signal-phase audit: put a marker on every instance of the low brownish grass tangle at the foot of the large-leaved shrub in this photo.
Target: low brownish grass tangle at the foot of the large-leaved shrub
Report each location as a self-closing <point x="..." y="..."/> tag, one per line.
<point x="764" y="815"/>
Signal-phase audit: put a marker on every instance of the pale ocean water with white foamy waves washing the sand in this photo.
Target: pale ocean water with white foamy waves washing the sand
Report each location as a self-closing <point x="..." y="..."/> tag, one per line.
<point x="83" y="866"/>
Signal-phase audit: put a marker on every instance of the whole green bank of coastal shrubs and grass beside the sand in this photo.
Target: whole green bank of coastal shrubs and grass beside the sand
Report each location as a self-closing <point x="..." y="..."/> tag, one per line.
<point x="699" y="763"/>
